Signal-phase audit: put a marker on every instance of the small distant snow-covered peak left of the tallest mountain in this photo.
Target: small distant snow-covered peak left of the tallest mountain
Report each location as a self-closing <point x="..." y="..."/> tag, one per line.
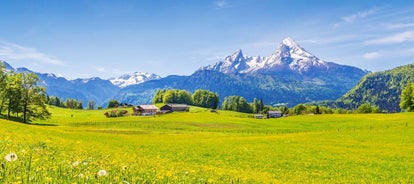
<point x="133" y="78"/>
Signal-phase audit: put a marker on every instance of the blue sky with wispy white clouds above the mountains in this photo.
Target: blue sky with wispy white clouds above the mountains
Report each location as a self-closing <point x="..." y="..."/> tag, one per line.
<point x="80" y="39"/>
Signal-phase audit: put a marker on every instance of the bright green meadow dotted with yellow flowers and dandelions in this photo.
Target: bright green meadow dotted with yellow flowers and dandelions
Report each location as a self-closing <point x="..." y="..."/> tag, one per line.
<point x="75" y="146"/>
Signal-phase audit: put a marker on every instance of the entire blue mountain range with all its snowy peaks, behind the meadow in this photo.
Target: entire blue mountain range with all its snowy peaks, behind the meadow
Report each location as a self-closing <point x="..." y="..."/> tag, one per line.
<point x="290" y="75"/>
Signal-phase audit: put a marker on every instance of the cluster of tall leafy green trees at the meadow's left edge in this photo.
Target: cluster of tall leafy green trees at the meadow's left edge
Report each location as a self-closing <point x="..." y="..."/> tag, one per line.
<point x="21" y="97"/>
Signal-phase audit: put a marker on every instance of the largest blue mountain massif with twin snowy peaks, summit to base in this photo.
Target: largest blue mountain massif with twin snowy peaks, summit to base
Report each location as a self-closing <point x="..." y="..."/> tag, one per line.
<point x="290" y="75"/>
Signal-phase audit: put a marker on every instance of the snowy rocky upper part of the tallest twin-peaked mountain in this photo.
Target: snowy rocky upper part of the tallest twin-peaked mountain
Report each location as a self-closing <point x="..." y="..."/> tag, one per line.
<point x="288" y="57"/>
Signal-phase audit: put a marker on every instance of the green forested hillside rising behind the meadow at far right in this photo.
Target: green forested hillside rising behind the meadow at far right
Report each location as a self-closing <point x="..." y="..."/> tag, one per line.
<point x="381" y="88"/>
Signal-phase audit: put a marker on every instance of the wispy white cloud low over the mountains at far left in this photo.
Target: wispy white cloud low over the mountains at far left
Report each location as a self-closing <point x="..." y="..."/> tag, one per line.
<point x="11" y="51"/>
